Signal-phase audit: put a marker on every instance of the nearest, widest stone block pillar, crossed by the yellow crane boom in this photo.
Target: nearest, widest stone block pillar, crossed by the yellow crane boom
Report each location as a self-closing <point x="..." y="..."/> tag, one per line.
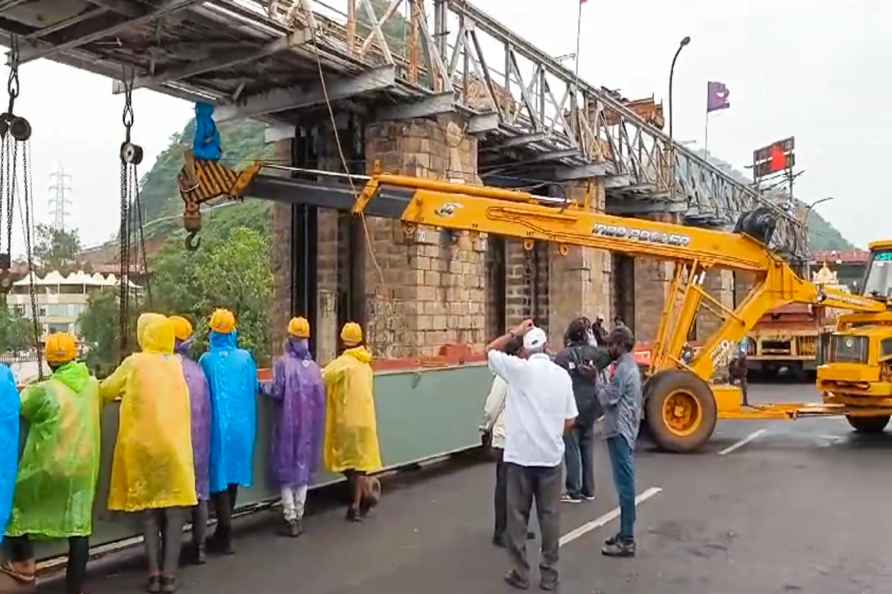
<point x="431" y="290"/>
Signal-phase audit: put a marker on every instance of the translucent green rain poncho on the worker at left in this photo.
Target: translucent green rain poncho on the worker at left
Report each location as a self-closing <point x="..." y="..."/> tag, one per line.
<point x="60" y="464"/>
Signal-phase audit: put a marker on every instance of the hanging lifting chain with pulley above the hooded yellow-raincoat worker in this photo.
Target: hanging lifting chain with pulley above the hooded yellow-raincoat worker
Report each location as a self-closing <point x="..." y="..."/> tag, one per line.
<point x="131" y="214"/>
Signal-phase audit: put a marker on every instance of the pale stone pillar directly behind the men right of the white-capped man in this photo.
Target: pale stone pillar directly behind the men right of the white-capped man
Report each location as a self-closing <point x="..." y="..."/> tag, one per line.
<point x="579" y="283"/>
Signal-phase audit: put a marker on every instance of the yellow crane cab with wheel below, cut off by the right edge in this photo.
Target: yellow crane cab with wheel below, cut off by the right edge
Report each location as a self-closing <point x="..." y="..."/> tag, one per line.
<point x="857" y="359"/>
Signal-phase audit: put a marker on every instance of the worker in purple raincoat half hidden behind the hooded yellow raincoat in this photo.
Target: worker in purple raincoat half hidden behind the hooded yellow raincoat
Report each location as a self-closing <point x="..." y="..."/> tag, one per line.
<point x="199" y="397"/>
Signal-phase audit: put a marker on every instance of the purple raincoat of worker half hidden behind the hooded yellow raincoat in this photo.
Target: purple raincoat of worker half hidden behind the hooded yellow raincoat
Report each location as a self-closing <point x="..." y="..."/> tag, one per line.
<point x="200" y="399"/>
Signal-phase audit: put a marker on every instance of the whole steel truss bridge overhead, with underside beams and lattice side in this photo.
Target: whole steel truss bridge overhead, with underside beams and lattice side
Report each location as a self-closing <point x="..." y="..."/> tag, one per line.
<point x="395" y="59"/>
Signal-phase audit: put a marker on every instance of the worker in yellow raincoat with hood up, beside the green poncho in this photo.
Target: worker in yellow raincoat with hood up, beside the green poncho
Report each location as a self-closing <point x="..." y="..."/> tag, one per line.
<point x="153" y="470"/>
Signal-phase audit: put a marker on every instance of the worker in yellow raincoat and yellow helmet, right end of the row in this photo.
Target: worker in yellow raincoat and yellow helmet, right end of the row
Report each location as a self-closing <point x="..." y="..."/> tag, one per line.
<point x="351" y="431"/>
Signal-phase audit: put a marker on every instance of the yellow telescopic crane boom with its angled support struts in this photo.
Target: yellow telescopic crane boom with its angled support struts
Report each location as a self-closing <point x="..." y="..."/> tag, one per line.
<point x="531" y="218"/>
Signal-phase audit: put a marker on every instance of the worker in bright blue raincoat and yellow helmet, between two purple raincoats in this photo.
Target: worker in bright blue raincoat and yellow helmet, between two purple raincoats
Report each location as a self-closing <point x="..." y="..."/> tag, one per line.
<point x="232" y="378"/>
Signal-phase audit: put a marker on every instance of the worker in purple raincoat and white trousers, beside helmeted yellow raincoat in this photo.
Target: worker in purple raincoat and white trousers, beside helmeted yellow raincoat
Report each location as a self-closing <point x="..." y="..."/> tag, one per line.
<point x="298" y="397"/>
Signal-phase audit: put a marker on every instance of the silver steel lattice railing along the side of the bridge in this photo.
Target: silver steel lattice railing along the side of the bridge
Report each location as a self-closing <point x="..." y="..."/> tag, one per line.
<point x="528" y="98"/>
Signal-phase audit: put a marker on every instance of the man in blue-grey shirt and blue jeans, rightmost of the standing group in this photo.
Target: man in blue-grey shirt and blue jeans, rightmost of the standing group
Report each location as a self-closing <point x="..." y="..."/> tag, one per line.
<point x="621" y="402"/>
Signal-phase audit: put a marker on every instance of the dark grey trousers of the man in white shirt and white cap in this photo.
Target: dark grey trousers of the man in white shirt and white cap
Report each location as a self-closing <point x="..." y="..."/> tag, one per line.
<point x="526" y="483"/>
